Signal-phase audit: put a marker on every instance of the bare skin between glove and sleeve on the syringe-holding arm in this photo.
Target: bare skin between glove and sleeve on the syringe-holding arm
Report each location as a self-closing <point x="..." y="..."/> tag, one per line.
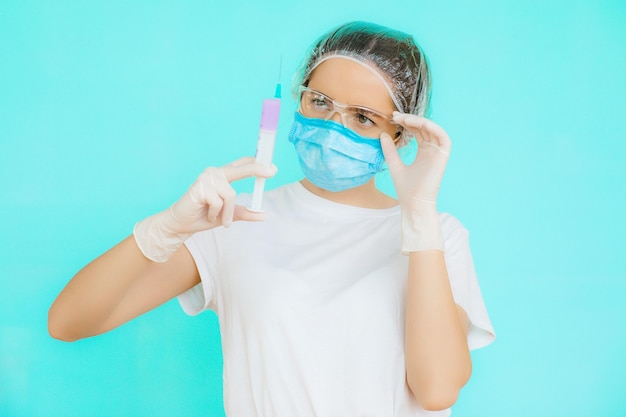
<point x="116" y="287"/>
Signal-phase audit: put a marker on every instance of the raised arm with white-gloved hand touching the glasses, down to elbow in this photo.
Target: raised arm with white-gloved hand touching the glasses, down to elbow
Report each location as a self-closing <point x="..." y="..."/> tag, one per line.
<point x="437" y="356"/>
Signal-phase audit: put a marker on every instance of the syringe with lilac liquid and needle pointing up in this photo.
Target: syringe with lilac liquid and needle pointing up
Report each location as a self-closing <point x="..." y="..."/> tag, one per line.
<point x="265" y="143"/>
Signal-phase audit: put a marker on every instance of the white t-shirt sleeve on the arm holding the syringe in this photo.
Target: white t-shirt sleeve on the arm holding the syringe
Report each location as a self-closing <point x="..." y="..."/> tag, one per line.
<point x="204" y="250"/>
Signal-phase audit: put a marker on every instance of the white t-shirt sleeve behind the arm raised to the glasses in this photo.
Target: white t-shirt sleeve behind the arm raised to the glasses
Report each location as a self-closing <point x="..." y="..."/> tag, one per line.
<point x="464" y="283"/>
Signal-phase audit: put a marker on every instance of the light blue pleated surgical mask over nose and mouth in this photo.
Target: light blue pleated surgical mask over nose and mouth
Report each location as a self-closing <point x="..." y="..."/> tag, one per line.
<point x="333" y="157"/>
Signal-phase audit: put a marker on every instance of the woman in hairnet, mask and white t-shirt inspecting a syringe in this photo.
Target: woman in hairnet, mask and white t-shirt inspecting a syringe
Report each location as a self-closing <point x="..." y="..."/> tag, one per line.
<point x="340" y="300"/>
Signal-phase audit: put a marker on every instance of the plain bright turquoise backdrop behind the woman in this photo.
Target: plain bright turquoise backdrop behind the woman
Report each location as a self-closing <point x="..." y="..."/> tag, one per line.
<point x="109" y="110"/>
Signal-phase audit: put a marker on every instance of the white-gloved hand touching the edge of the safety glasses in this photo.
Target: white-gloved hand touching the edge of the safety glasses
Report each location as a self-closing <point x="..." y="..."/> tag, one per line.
<point x="417" y="184"/>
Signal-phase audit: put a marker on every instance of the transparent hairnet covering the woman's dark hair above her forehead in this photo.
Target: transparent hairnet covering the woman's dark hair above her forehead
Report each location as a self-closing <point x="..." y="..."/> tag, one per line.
<point x="394" y="54"/>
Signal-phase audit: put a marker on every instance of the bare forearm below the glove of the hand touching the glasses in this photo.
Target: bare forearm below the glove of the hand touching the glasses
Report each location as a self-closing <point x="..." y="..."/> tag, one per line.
<point x="437" y="356"/>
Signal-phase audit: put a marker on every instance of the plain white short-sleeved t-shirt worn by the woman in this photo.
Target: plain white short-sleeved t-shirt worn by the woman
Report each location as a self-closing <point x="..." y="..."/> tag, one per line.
<point x="311" y="307"/>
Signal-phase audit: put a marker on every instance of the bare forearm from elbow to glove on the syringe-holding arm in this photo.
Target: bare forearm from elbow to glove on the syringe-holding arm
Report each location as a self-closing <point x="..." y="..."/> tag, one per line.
<point x="94" y="292"/>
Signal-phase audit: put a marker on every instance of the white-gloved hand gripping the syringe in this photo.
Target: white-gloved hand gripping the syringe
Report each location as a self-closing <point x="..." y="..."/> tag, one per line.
<point x="209" y="203"/>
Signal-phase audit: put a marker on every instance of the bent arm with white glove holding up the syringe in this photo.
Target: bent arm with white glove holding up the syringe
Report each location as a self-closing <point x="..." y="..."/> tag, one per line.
<point x="152" y="266"/>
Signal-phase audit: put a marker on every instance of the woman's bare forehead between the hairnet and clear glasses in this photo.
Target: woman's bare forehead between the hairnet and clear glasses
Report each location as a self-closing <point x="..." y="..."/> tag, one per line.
<point x="351" y="83"/>
